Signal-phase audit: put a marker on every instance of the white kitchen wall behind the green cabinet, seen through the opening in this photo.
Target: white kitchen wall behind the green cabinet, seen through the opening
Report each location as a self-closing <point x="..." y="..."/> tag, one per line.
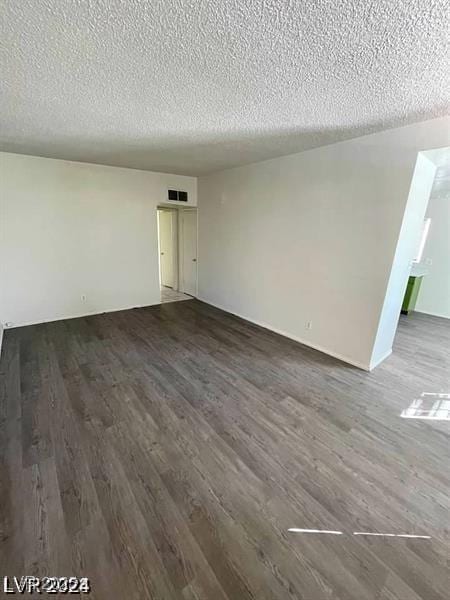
<point x="434" y="295"/>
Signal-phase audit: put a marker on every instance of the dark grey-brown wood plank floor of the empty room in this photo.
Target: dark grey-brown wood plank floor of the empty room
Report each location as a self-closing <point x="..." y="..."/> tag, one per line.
<point x="165" y="452"/>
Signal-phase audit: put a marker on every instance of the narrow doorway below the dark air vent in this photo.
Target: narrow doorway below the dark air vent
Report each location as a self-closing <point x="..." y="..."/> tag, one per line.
<point x="177" y="253"/>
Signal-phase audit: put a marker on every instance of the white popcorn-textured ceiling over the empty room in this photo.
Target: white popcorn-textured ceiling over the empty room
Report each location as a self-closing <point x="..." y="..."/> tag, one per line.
<point x="191" y="86"/>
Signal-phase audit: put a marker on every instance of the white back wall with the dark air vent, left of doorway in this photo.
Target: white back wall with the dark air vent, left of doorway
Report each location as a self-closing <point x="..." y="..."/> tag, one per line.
<point x="70" y="229"/>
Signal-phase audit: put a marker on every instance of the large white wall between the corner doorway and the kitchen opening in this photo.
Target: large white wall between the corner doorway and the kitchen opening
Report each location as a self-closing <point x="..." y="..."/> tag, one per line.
<point x="312" y="237"/>
